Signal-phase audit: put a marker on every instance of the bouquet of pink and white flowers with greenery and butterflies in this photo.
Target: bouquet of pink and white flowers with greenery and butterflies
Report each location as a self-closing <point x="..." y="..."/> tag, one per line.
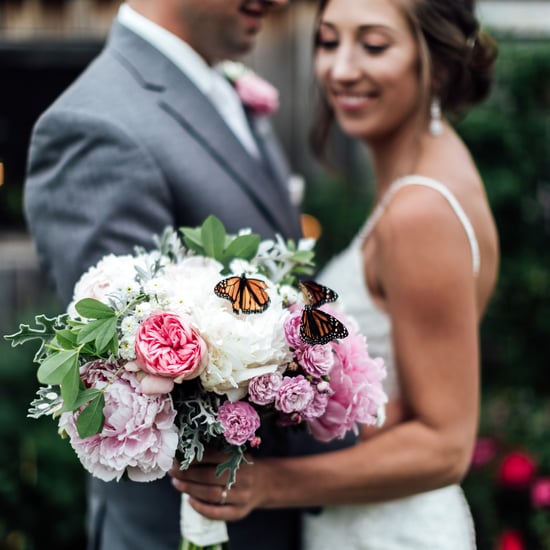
<point x="194" y="344"/>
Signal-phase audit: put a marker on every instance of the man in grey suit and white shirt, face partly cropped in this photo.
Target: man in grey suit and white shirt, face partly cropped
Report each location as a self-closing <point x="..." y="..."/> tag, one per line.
<point x="149" y="136"/>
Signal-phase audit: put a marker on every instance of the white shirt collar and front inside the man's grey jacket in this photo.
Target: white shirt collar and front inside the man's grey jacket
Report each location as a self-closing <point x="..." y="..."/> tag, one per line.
<point x="207" y="79"/>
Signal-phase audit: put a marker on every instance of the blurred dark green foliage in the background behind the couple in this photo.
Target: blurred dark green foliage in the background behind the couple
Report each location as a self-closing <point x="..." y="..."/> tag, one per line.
<point x="41" y="481"/>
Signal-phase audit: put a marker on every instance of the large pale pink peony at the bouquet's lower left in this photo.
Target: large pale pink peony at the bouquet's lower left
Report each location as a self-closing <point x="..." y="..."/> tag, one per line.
<point x="138" y="436"/>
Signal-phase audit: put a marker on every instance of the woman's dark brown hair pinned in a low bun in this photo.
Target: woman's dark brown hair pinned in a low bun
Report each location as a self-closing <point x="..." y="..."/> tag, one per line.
<point x="456" y="58"/>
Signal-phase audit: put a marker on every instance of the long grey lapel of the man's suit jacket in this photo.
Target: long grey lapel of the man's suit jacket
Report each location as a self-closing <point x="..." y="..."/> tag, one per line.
<point x="179" y="97"/>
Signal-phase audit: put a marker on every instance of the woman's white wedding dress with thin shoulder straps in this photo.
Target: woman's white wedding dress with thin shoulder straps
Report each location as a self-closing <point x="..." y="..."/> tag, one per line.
<point x="434" y="520"/>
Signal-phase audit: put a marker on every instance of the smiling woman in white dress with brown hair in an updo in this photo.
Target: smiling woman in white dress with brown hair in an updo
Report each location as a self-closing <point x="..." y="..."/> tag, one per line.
<point x="418" y="277"/>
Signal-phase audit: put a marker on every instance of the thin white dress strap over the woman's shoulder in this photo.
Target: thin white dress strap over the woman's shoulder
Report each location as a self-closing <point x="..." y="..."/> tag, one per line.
<point x="414" y="179"/>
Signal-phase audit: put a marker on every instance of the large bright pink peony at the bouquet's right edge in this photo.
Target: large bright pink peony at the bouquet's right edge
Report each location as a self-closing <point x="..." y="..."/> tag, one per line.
<point x="356" y="380"/>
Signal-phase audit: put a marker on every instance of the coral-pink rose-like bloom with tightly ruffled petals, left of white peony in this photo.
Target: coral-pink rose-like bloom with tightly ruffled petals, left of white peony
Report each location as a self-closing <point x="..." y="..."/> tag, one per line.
<point x="167" y="345"/>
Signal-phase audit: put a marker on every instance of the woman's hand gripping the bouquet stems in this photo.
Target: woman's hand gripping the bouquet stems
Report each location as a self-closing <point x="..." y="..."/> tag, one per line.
<point x="209" y="494"/>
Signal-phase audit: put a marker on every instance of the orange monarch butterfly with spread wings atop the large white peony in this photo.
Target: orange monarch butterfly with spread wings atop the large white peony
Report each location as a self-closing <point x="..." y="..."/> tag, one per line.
<point x="246" y="295"/>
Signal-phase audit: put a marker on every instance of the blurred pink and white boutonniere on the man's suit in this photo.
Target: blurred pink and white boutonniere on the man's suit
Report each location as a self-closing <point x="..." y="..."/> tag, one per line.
<point x="255" y="93"/>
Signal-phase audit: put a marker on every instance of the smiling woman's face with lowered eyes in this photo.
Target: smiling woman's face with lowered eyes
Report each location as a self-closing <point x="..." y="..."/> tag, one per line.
<point x="367" y="63"/>
